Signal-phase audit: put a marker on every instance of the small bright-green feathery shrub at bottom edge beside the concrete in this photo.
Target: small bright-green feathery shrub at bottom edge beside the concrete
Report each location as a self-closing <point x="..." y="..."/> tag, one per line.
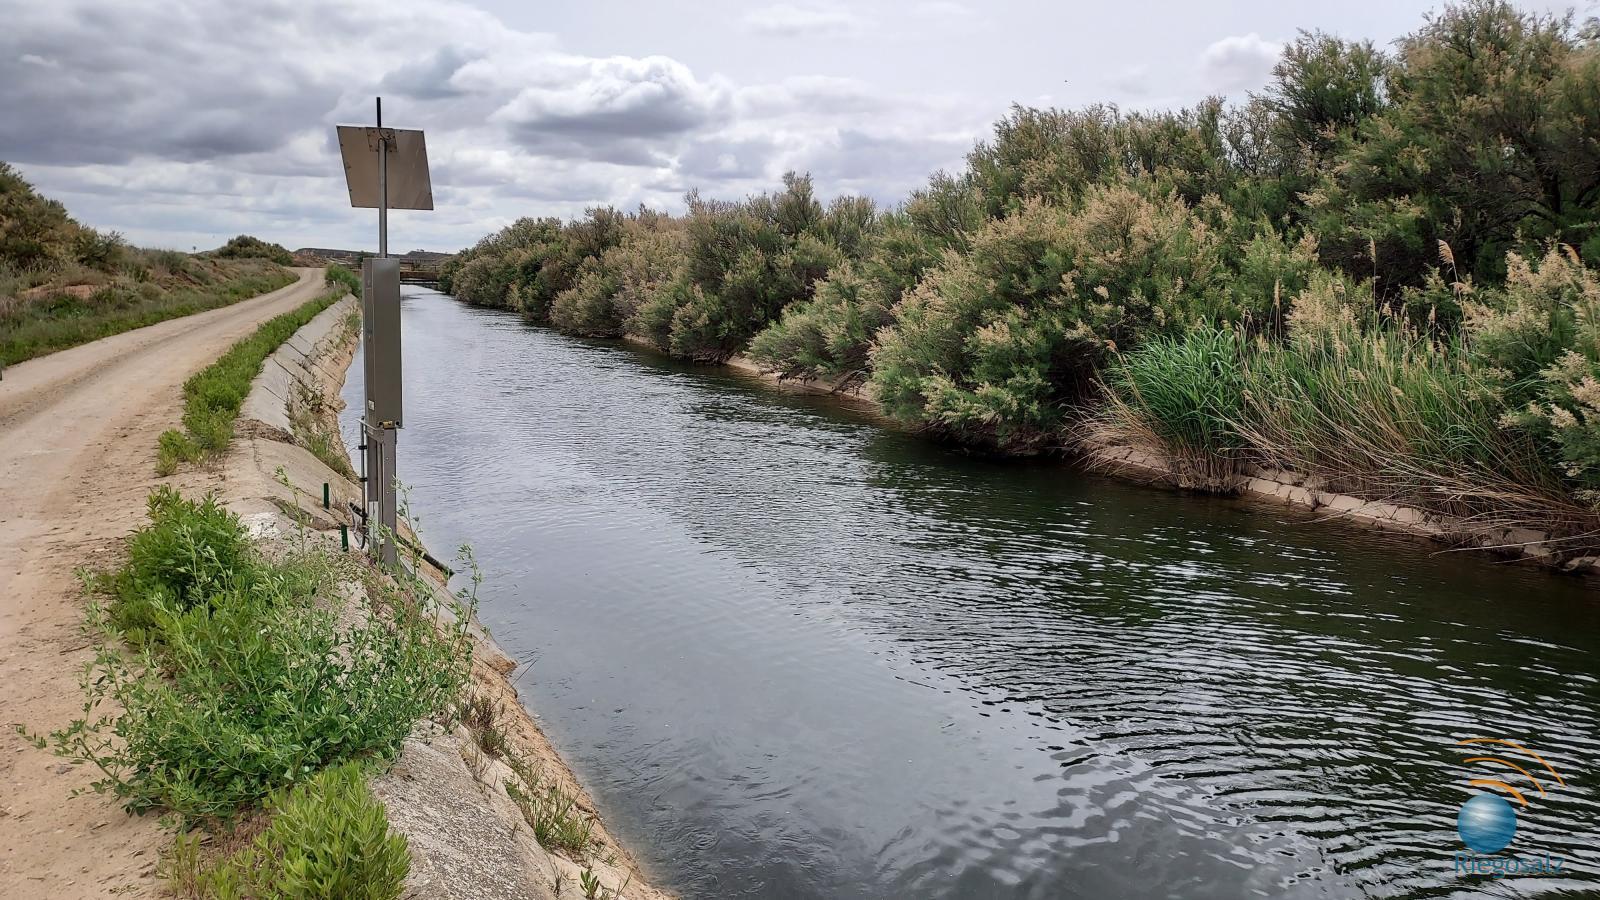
<point x="327" y="838"/>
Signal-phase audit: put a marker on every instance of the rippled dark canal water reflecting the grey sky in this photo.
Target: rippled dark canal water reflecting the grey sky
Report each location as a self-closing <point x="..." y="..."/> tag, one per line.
<point x="794" y="653"/>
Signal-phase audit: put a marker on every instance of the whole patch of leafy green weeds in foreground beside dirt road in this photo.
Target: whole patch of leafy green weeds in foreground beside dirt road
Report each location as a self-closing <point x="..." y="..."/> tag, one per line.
<point x="249" y="694"/>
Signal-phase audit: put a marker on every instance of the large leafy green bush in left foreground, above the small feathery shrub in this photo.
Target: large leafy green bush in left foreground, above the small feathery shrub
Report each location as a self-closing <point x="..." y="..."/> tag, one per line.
<point x="252" y="678"/>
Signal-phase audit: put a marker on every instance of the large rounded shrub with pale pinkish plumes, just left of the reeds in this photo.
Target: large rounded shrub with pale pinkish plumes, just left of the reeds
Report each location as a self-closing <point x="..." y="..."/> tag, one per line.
<point x="996" y="344"/>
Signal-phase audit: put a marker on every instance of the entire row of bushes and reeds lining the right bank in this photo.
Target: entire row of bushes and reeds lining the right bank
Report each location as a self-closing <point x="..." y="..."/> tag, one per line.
<point x="1377" y="273"/>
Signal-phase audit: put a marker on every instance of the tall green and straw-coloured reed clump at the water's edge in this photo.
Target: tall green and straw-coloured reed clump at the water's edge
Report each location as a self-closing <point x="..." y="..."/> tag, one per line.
<point x="1374" y="409"/>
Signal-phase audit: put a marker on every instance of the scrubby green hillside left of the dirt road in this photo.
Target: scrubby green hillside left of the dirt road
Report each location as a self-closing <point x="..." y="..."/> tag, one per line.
<point x="65" y="284"/>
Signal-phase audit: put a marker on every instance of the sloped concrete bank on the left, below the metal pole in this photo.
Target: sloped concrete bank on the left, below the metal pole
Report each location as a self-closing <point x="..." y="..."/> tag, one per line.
<point x="449" y="794"/>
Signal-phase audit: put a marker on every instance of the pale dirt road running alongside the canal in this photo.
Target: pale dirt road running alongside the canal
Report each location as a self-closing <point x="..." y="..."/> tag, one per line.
<point x="78" y="459"/>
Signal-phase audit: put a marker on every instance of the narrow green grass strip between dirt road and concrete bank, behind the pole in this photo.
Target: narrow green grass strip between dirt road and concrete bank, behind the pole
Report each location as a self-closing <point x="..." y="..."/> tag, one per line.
<point x="215" y="395"/>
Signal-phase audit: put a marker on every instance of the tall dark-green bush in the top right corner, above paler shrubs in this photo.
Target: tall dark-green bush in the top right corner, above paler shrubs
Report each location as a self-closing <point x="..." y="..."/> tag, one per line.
<point x="1433" y="163"/>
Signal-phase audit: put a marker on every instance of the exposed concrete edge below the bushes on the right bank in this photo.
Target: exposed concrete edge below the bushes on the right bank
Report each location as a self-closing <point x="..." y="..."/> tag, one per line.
<point x="1271" y="486"/>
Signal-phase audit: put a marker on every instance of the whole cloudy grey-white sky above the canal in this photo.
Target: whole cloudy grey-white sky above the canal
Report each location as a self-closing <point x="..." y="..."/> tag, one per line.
<point x="185" y="123"/>
